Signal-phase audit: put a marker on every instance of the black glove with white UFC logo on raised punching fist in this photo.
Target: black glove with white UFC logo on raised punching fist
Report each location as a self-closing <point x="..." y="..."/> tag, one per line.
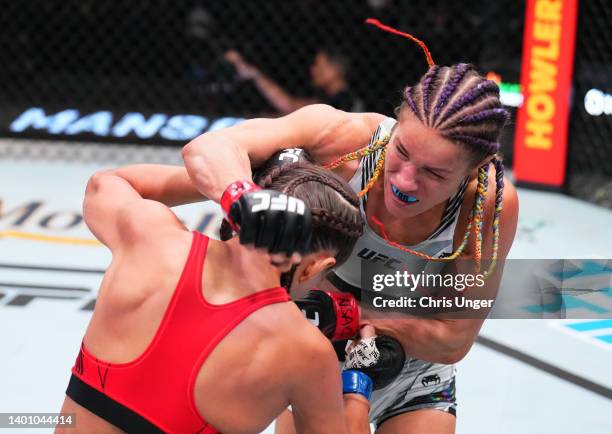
<point x="267" y="218"/>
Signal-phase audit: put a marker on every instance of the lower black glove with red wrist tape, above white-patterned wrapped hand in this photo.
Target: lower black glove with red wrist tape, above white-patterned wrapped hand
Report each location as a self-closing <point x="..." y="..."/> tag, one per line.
<point x="335" y="314"/>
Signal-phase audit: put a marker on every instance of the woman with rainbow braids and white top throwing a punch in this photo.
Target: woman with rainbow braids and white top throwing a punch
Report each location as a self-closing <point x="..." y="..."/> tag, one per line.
<point x="423" y="179"/>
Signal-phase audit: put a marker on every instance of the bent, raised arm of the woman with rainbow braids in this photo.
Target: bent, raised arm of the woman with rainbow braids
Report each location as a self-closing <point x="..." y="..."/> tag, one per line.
<point x="216" y="159"/>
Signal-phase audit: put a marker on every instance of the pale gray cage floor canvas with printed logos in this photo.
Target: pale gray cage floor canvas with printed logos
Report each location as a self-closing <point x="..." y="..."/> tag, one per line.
<point x="525" y="376"/>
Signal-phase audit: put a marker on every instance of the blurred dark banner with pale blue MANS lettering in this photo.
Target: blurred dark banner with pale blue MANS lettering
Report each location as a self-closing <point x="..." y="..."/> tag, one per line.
<point x="109" y="125"/>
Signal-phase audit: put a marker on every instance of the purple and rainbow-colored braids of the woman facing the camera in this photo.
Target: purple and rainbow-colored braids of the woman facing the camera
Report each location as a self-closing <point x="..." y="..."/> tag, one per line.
<point x="465" y="109"/>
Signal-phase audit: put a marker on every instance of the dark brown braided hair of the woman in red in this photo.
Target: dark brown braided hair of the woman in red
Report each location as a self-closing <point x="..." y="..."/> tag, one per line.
<point x="336" y="218"/>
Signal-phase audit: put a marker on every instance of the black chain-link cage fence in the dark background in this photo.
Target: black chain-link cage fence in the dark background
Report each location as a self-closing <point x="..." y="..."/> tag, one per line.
<point x="164" y="56"/>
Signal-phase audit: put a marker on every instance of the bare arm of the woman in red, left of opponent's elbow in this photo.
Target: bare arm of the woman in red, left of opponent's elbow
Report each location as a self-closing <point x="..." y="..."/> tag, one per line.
<point x="169" y="185"/>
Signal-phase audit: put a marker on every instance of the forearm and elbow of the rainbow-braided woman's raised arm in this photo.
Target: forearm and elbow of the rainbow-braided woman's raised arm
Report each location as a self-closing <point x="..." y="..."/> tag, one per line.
<point x="214" y="162"/>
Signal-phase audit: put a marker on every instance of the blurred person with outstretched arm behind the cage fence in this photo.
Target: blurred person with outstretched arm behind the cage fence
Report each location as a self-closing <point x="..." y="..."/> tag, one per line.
<point x="328" y="72"/>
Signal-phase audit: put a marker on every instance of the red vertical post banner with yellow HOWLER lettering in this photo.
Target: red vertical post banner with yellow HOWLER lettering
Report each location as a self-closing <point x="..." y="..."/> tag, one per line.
<point x="540" y="153"/>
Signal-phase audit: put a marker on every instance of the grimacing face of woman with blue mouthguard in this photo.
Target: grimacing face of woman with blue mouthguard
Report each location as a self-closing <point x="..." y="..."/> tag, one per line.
<point x="422" y="169"/>
